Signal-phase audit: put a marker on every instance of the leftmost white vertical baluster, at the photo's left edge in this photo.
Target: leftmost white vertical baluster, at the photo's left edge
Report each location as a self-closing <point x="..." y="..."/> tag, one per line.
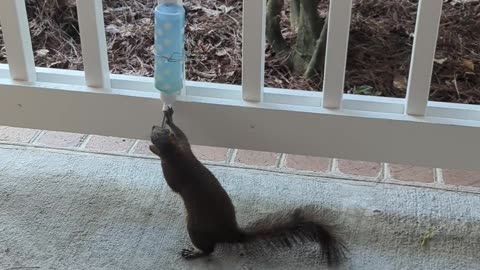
<point x="18" y="43"/>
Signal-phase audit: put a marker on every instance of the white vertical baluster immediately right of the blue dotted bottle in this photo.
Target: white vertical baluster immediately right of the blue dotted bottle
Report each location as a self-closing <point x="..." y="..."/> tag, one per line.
<point x="253" y="49"/>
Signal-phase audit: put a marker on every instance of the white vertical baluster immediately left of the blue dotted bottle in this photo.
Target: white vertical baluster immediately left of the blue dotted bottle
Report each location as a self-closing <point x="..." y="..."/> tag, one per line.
<point x="93" y="42"/>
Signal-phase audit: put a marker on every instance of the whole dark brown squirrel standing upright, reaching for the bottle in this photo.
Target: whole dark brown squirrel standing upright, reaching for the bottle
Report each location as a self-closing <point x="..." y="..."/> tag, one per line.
<point x="210" y="213"/>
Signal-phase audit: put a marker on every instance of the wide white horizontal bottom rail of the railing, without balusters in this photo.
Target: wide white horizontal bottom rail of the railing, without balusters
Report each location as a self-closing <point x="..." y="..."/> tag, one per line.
<point x="215" y="115"/>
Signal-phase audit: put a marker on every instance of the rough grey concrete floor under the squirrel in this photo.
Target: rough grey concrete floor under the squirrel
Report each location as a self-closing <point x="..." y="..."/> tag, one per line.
<point x="73" y="210"/>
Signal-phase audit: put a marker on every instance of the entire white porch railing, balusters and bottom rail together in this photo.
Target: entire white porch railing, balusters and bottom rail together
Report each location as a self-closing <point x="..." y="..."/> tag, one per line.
<point x="331" y="124"/>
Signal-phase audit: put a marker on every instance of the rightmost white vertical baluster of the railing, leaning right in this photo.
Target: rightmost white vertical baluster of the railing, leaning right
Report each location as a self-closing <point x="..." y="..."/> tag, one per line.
<point x="423" y="54"/>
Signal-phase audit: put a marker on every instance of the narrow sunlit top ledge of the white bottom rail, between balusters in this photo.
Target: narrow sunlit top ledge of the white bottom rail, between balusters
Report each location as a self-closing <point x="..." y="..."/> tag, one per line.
<point x="71" y="79"/>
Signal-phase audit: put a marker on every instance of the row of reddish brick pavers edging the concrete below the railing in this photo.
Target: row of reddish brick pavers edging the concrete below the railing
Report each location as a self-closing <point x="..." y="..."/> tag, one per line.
<point x="345" y="169"/>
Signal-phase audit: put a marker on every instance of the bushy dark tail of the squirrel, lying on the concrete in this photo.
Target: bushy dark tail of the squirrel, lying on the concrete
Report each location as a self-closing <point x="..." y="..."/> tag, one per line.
<point x="295" y="227"/>
